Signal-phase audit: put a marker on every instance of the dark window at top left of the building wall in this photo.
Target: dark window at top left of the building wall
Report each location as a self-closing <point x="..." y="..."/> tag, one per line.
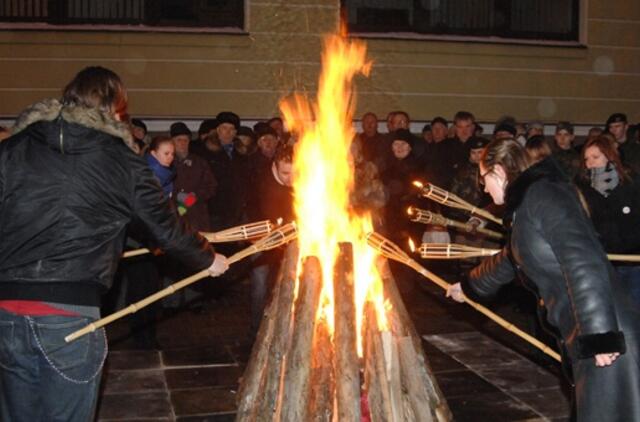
<point x="139" y="14"/>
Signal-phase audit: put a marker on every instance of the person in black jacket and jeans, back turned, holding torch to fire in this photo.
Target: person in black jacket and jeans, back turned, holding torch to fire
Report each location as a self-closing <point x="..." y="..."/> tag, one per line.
<point x="70" y="185"/>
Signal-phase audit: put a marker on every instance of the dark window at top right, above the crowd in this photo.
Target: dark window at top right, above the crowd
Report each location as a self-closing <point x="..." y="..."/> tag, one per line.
<point x="552" y="20"/>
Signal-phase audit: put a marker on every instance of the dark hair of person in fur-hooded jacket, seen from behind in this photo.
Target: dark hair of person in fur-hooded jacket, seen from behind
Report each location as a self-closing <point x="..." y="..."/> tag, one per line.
<point x="97" y="87"/>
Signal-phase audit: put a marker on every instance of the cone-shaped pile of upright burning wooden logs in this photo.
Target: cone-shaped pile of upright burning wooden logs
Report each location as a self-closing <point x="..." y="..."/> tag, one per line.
<point x="301" y="369"/>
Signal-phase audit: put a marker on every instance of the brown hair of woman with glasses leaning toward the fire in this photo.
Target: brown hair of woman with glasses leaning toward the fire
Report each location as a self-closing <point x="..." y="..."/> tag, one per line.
<point x="509" y="154"/>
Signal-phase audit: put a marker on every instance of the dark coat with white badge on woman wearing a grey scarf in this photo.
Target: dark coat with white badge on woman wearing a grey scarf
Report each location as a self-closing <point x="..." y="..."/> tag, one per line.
<point x="617" y="216"/>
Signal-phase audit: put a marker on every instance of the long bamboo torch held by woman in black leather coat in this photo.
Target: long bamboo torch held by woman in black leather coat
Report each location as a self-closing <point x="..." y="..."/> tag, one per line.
<point x="392" y="251"/>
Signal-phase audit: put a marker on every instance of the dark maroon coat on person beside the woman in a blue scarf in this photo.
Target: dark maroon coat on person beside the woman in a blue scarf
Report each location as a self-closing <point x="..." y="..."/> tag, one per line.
<point x="195" y="179"/>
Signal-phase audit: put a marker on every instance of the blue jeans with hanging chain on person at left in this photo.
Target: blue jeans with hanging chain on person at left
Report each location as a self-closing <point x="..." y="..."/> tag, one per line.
<point x="42" y="378"/>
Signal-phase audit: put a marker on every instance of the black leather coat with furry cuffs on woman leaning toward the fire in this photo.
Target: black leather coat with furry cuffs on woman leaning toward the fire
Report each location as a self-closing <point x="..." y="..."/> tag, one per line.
<point x="554" y="244"/>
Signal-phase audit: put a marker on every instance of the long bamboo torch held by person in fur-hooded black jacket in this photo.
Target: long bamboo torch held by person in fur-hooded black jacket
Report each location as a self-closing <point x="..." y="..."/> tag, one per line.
<point x="277" y="238"/>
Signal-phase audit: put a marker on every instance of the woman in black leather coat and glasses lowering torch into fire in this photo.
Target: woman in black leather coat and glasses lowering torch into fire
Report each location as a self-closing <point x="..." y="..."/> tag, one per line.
<point x="556" y="250"/>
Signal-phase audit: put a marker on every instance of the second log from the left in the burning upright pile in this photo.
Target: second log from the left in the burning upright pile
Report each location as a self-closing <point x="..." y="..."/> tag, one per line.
<point x="268" y="407"/>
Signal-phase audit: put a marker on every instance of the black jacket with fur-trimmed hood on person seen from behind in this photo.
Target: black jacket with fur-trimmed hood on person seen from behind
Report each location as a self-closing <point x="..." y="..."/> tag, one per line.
<point x="70" y="184"/>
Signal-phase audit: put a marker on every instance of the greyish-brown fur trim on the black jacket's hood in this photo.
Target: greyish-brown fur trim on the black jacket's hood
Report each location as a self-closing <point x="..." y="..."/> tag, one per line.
<point x="50" y="109"/>
